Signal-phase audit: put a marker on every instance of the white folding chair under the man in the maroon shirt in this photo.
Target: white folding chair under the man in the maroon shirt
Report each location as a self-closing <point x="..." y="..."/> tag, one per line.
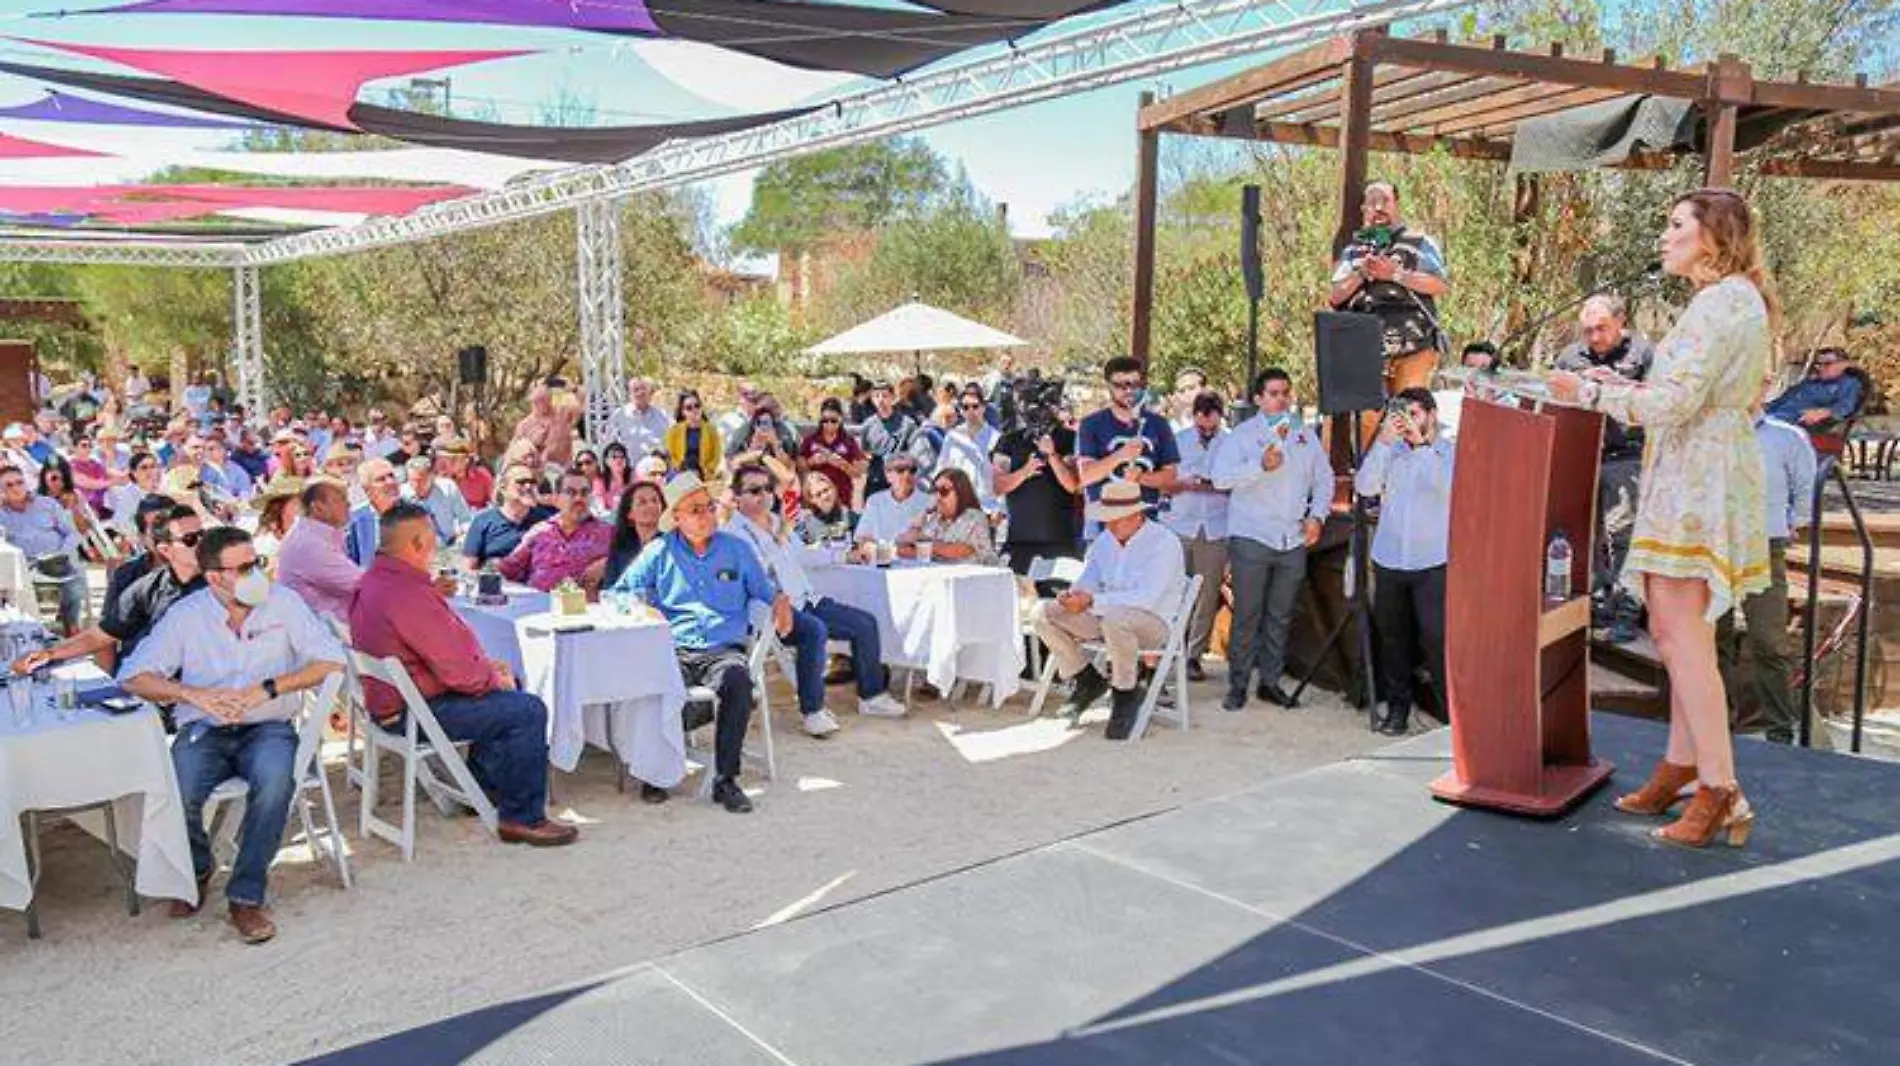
<point x="423" y="740"/>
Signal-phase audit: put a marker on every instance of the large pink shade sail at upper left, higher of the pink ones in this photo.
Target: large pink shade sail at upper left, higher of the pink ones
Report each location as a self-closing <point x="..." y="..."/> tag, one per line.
<point x="316" y="86"/>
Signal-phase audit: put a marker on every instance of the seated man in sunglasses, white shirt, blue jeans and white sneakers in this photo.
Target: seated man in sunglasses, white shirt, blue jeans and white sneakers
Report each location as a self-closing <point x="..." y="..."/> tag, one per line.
<point x="814" y="619"/>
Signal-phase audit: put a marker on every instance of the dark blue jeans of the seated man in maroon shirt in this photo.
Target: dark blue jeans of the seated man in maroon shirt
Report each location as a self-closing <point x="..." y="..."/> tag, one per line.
<point x="508" y="748"/>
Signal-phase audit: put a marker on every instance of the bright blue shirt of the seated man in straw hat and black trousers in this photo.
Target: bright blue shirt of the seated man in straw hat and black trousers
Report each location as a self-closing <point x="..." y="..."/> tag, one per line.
<point x="706" y="598"/>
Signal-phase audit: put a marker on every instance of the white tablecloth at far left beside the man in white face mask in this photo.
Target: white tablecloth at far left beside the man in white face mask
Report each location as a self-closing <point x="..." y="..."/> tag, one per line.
<point x="90" y="759"/>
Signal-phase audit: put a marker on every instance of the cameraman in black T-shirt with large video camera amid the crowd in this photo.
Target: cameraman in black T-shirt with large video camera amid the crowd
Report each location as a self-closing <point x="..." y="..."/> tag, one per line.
<point x="1036" y="480"/>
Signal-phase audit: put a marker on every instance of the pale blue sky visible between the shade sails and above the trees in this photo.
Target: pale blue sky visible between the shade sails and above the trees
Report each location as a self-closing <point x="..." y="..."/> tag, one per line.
<point x="1035" y="159"/>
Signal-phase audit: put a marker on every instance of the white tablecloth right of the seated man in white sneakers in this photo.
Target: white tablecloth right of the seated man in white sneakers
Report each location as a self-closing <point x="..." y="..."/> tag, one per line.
<point x="955" y="620"/>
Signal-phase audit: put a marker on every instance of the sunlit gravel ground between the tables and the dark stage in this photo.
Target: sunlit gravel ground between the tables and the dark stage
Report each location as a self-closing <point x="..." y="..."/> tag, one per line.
<point x="883" y="805"/>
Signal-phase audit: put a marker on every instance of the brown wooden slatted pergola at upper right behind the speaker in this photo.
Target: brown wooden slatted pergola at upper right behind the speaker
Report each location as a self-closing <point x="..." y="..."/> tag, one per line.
<point x="1371" y="92"/>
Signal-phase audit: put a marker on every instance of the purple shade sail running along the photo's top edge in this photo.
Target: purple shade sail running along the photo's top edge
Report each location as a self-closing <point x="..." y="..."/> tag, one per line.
<point x="603" y="16"/>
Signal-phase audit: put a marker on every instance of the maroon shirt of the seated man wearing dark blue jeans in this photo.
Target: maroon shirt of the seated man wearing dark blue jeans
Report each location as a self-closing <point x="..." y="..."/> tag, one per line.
<point x="400" y="613"/>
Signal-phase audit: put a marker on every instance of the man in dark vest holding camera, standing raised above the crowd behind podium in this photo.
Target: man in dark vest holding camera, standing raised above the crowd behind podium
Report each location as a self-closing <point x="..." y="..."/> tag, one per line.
<point x="1397" y="275"/>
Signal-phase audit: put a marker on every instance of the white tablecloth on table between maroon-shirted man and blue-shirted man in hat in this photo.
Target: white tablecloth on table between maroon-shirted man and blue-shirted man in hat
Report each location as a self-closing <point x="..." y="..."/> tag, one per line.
<point x="622" y="674"/>
